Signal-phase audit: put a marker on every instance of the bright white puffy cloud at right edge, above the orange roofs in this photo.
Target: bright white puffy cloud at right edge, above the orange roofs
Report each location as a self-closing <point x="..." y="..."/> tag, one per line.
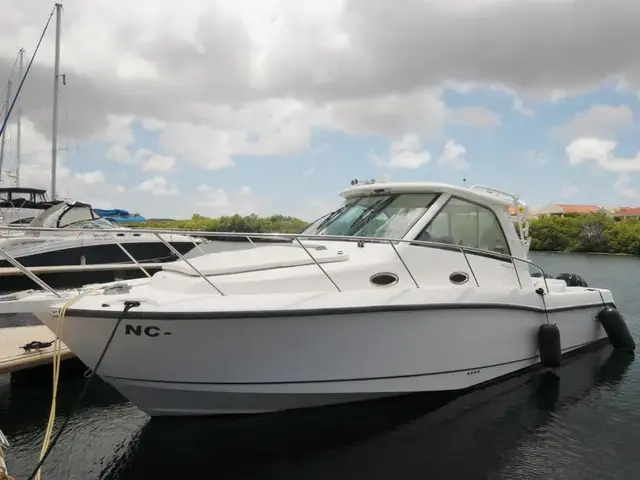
<point x="602" y="153"/>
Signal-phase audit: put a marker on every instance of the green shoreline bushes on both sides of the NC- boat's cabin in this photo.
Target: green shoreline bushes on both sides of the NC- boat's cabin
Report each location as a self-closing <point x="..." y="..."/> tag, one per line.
<point x="594" y="233"/>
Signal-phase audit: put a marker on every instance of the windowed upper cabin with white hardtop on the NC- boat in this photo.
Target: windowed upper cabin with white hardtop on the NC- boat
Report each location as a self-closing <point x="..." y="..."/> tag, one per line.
<point x="477" y="217"/>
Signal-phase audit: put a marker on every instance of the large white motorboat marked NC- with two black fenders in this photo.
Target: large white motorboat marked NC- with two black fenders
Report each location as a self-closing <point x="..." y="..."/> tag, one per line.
<point x="407" y="287"/>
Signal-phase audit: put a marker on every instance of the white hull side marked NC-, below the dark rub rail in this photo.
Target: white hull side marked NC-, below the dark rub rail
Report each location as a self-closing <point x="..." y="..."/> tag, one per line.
<point x="183" y="367"/>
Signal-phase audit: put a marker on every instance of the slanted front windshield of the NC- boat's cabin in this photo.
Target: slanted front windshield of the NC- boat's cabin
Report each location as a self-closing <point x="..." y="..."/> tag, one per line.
<point x="389" y="216"/>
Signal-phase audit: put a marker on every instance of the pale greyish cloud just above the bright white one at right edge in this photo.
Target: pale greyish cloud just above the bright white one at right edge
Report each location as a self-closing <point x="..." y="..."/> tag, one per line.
<point x="598" y="121"/>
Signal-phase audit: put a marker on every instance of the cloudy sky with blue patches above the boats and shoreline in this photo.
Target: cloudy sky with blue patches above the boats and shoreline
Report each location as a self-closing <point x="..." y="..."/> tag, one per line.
<point x="272" y="106"/>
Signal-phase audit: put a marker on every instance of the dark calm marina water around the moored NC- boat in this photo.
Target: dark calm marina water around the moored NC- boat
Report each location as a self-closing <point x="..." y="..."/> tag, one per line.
<point x="581" y="424"/>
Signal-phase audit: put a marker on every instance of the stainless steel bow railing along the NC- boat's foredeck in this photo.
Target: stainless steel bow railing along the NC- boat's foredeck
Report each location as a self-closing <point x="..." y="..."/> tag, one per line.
<point x="297" y="238"/>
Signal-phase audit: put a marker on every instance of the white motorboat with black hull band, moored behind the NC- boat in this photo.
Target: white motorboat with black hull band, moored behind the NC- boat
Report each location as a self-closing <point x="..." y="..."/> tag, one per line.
<point x="76" y="235"/>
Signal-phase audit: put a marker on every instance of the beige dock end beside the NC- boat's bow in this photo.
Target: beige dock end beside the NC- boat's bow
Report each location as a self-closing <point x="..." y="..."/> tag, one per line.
<point x="13" y="358"/>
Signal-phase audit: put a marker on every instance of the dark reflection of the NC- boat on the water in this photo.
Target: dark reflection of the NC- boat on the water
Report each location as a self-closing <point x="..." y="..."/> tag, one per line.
<point x="464" y="437"/>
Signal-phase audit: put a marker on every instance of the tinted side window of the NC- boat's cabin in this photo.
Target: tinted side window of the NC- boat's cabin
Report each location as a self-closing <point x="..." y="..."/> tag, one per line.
<point x="467" y="224"/>
